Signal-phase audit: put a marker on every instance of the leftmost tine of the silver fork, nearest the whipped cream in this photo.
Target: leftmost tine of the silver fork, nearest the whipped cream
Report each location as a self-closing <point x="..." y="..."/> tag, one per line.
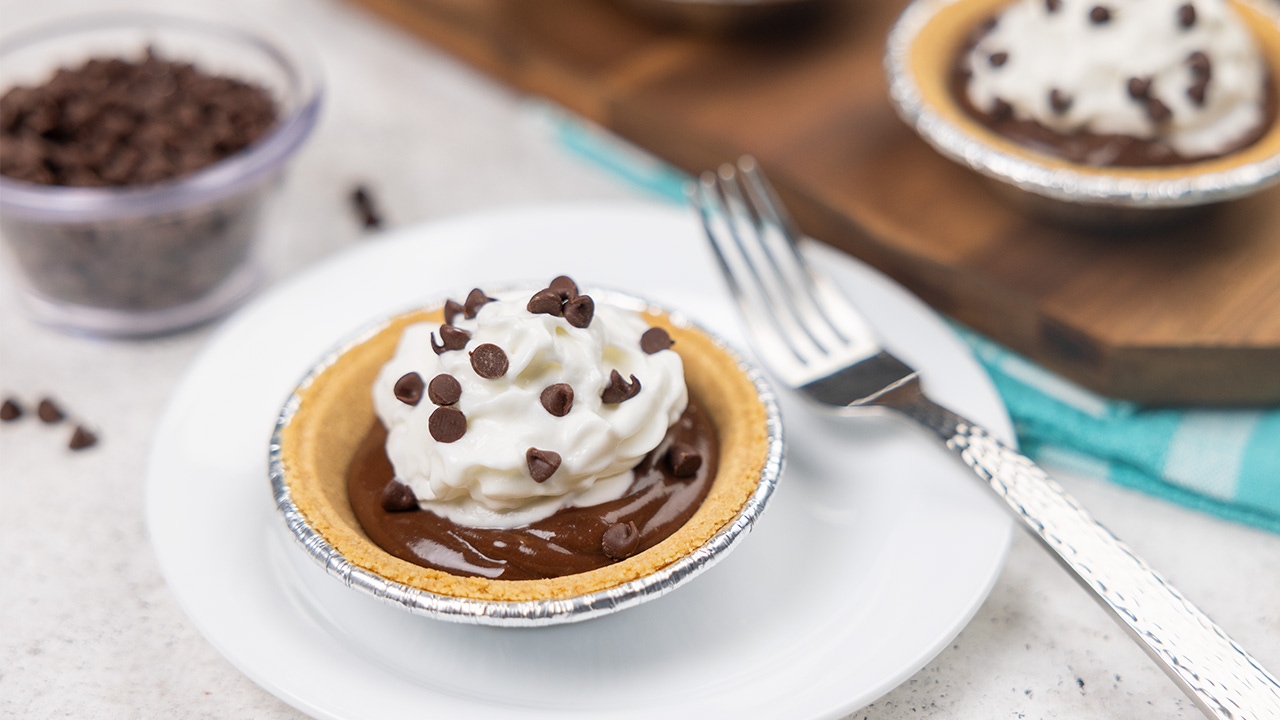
<point x="770" y="343"/>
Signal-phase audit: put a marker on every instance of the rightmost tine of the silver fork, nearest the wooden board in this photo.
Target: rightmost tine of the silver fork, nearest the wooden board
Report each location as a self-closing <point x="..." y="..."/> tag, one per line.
<point x="813" y="290"/>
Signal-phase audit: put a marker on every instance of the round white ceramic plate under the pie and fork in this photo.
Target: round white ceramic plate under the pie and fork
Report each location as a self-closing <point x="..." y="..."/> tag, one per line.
<point x="875" y="553"/>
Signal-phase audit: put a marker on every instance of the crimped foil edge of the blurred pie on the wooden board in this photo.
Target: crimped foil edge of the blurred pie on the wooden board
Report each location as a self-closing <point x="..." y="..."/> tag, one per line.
<point x="1058" y="184"/>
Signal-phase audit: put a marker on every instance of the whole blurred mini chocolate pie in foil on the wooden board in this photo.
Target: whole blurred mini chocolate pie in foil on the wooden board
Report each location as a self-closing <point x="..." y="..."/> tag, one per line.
<point x="1122" y="110"/>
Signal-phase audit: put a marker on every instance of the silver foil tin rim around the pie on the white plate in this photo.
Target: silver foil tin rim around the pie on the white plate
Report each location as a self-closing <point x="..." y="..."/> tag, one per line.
<point x="537" y="613"/>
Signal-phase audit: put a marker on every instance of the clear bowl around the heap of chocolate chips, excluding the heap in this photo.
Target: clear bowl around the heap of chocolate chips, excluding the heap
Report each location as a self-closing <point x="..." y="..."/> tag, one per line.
<point x="141" y="261"/>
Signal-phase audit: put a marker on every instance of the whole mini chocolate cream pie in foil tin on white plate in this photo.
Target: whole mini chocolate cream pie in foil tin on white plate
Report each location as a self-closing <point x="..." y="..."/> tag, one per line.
<point x="525" y="458"/>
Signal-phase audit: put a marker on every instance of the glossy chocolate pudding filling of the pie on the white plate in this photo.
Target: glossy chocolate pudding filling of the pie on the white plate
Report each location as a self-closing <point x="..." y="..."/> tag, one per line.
<point x="668" y="490"/>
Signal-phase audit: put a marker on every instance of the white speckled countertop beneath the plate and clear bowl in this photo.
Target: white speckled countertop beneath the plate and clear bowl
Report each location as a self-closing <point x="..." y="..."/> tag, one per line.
<point x="88" y="627"/>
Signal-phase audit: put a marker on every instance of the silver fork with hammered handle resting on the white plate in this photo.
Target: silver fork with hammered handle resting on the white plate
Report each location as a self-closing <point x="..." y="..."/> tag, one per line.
<point x="813" y="340"/>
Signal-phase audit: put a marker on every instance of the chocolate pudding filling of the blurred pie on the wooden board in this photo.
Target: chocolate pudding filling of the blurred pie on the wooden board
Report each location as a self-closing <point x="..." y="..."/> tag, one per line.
<point x="1087" y="148"/>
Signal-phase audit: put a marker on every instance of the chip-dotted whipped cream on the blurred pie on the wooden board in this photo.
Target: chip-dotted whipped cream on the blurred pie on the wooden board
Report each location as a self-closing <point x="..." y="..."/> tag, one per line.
<point x="1186" y="72"/>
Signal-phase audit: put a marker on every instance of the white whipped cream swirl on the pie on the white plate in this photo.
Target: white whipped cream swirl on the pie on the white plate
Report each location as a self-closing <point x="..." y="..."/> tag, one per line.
<point x="484" y="479"/>
